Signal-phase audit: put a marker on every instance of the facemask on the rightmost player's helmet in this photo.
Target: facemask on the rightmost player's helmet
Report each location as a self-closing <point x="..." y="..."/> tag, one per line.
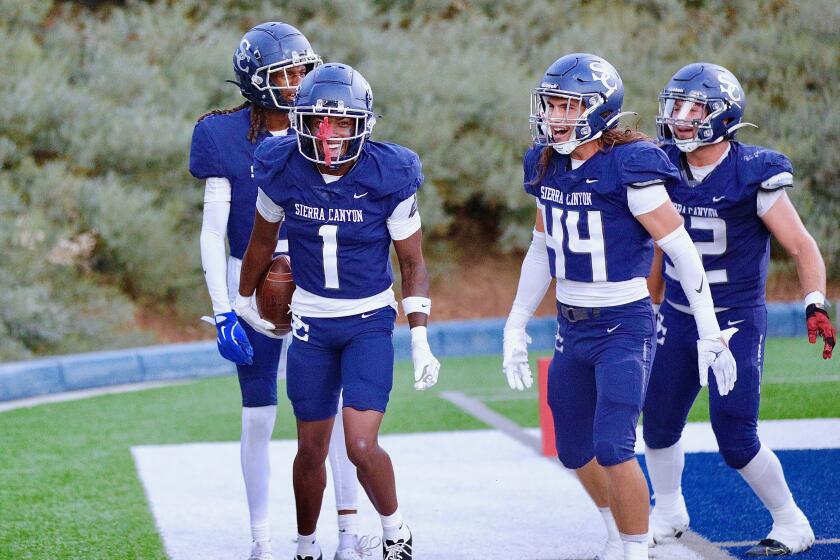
<point x="674" y="110"/>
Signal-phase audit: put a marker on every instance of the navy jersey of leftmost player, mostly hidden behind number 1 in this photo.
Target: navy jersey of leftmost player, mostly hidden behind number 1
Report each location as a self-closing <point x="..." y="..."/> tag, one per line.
<point x="220" y="148"/>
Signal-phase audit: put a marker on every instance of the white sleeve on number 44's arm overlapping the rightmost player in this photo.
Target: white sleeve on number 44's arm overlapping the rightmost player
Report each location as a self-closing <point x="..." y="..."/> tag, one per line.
<point x="680" y="249"/>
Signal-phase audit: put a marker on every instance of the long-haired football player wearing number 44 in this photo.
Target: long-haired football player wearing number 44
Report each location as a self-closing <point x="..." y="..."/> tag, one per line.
<point x="601" y="202"/>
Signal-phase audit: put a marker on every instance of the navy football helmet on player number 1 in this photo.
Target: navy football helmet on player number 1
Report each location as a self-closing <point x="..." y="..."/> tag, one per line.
<point x="333" y="90"/>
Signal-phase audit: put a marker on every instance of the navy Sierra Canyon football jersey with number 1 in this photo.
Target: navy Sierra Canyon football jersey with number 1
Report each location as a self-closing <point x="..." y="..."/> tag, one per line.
<point x="338" y="235"/>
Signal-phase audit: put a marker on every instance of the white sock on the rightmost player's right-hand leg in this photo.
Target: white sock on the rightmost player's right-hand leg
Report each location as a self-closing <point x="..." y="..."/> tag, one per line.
<point x="765" y="476"/>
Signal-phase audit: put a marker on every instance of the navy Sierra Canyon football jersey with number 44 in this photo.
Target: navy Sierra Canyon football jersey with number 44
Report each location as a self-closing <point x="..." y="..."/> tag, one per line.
<point x="591" y="234"/>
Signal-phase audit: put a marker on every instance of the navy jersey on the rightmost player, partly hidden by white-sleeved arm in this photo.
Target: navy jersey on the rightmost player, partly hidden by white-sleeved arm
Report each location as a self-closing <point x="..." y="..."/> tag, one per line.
<point x="721" y="216"/>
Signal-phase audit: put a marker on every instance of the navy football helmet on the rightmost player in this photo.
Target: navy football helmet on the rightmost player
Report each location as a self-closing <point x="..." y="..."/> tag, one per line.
<point x="704" y="97"/>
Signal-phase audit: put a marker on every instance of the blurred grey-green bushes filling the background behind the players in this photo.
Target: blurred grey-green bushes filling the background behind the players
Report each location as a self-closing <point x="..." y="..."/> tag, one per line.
<point x="98" y="209"/>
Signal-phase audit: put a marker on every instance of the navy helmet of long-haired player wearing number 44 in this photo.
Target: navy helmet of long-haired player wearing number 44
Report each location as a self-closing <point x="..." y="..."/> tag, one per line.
<point x="590" y="93"/>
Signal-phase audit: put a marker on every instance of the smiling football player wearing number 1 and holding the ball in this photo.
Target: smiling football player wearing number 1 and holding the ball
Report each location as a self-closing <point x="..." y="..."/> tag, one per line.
<point x="343" y="200"/>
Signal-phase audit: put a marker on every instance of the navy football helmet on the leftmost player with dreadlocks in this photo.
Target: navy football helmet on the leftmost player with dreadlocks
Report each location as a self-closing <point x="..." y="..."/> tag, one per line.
<point x="268" y="49"/>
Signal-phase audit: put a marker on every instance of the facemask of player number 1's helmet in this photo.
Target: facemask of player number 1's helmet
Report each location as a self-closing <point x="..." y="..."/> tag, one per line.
<point x="320" y="144"/>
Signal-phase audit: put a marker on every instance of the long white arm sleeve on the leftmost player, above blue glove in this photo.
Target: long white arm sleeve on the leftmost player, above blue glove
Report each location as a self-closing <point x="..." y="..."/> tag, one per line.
<point x="212" y="239"/>
